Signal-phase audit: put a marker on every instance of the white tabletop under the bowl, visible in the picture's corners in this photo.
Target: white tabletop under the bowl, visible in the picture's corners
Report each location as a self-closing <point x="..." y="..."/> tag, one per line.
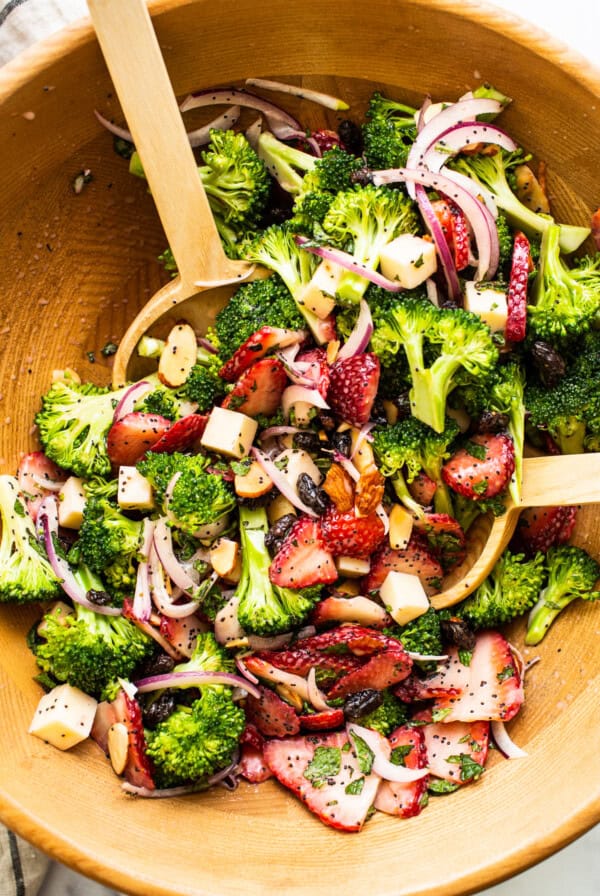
<point x="576" y="868"/>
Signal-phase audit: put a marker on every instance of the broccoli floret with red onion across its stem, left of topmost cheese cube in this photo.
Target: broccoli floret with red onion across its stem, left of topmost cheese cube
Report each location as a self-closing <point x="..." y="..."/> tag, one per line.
<point x="363" y="220"/>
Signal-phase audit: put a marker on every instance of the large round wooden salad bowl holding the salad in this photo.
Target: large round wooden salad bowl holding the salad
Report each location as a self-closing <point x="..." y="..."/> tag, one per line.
<point x="76" y="269"/>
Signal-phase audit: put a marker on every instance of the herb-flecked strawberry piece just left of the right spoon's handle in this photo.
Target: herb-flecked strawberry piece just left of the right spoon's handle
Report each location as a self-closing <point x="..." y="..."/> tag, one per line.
<point x="482" y="468"/>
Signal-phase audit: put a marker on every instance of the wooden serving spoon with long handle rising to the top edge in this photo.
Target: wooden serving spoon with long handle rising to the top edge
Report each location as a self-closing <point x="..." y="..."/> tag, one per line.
<point x="134" y="59"/>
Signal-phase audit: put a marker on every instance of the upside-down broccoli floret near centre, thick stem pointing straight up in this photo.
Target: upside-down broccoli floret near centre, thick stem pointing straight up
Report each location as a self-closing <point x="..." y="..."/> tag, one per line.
<point x="265" y="608"/>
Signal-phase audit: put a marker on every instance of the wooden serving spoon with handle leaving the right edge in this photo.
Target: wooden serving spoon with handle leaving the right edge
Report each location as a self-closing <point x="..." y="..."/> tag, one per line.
<point x="547" y="482"/>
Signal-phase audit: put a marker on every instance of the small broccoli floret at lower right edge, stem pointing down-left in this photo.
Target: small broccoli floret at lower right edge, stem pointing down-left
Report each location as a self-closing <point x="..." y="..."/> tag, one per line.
<point x="572" y="574"/>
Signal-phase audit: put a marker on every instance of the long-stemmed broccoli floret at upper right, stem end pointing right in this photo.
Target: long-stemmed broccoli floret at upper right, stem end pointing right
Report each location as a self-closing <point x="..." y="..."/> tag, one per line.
<point x="493" y="171"/>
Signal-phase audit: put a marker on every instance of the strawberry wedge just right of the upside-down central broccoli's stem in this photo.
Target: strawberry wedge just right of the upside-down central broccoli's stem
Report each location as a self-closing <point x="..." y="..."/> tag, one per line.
<point x="303" y="559"/>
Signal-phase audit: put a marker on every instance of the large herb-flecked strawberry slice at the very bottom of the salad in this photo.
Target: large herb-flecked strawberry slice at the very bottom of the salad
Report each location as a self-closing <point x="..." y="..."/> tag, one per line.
<point x="325" y="773"/>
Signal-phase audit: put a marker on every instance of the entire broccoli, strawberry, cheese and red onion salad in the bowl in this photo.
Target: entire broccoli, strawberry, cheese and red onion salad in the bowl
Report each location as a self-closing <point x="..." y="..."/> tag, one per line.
<point x="237" y="557"/>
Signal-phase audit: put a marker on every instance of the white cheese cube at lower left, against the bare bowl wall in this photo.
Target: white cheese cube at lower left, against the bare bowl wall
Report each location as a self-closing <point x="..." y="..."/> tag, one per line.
<point x="64" y="717"/>
